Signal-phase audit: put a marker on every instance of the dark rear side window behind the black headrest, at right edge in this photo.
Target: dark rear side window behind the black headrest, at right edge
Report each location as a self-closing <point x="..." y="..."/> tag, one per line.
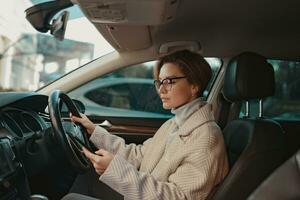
<point x="285" y="104"/>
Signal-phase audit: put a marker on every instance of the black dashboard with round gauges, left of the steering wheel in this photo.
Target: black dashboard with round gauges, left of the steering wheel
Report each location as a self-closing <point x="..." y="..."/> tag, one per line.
<point x="23" y="123"/>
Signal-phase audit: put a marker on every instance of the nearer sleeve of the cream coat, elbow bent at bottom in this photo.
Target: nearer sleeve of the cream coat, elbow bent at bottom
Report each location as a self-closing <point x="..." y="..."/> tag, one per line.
<point x="194" y="178"/>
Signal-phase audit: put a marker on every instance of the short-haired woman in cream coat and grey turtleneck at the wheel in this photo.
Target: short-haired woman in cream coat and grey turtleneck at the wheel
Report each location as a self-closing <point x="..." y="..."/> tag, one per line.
<point x="185" y="159"/>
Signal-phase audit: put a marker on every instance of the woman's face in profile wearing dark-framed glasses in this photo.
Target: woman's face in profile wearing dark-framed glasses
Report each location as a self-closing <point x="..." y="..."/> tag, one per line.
<point x="179" y="92"/>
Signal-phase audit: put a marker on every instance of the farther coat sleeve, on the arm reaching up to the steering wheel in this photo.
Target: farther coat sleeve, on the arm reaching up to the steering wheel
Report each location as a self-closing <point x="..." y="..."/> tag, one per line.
<point x="133" y="153"/>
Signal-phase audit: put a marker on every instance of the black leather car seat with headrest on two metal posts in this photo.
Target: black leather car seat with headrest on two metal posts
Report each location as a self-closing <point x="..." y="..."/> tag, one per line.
<point x="255" y="145"/>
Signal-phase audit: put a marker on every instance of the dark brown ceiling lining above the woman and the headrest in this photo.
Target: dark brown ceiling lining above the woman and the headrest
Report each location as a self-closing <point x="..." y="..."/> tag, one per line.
<point x="226" y="28"/>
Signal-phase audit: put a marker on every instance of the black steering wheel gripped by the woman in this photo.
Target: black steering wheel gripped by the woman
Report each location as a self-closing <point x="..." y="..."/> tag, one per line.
<point x="68" y="134"/>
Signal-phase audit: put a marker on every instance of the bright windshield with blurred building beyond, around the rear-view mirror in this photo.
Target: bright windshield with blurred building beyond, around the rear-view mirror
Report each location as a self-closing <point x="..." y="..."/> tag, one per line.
<point x="30" y="60"/>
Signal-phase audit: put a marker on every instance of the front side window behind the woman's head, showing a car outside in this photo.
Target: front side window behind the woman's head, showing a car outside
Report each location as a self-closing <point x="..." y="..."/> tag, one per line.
<point x="128" y="92"/>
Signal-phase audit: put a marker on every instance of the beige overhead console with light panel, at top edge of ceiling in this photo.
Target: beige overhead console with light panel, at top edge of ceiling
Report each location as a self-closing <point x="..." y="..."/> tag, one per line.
<point x="129" y="12"/>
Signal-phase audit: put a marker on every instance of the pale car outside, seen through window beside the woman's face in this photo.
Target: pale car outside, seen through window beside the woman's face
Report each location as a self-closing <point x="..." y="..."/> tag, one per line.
<point x="123" y="97"/>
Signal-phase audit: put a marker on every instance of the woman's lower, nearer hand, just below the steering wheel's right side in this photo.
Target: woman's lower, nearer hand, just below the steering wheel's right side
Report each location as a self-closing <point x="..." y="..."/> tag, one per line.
<point x="100" y="159"/>
